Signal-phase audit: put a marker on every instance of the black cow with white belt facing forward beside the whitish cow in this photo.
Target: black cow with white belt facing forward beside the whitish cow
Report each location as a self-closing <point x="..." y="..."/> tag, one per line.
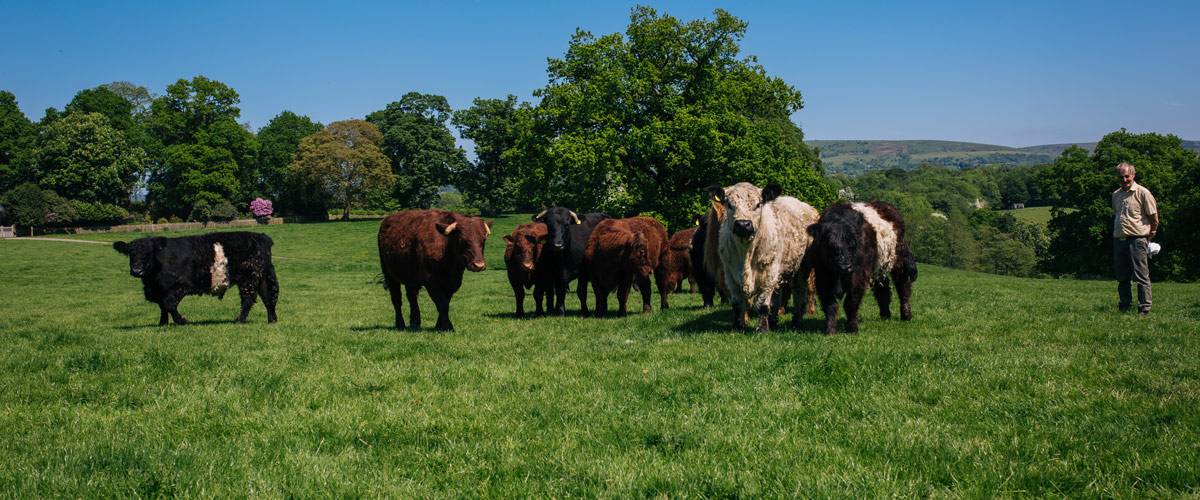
<point x="860" y="246"/>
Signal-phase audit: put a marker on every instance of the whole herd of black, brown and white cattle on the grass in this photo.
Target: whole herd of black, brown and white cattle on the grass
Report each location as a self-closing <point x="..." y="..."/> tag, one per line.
<point x="755" y="249"/>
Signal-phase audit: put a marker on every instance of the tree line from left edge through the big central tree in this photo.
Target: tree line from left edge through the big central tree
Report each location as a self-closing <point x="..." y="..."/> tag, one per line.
<point x="634" y="123"/>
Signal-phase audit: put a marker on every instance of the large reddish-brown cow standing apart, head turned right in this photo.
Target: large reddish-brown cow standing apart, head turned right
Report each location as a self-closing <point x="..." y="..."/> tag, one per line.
<point x="430" y="249"/>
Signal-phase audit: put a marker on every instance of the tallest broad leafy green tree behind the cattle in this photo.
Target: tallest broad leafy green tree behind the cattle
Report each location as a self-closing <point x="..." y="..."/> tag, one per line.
<point x="645" y="121"/>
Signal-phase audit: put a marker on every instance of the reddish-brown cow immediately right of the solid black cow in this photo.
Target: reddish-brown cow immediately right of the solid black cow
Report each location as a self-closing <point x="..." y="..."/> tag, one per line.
<point x="622" y="252"/>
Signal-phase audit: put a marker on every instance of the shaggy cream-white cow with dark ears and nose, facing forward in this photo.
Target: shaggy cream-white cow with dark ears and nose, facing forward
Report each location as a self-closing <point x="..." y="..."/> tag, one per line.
<point x="763" y="244"/>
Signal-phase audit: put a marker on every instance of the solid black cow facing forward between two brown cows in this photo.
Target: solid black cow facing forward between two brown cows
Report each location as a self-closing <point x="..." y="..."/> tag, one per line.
<point x="563" y="256"/>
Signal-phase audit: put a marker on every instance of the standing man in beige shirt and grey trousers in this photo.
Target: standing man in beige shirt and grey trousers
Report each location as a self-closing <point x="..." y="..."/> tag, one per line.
<point x="1135" y="224"/>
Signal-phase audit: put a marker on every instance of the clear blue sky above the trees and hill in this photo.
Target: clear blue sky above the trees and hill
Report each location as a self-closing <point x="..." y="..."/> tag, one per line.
<point x="1013" y="74"/>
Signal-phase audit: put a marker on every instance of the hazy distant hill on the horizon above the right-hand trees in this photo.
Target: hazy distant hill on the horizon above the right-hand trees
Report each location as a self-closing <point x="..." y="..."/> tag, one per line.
<point x="856" y="158"/>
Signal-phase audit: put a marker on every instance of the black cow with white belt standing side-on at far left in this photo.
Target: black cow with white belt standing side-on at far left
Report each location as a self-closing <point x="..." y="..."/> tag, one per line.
<point x="173" y="268"/>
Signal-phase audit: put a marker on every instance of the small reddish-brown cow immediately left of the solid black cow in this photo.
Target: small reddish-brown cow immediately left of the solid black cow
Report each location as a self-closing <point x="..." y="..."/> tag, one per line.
<point x="525" y="262"/>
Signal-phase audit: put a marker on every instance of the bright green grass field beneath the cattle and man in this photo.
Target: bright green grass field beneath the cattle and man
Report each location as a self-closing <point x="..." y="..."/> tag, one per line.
<point x="999" y="387"/>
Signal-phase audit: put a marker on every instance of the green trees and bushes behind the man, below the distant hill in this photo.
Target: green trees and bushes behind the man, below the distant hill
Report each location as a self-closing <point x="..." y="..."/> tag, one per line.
<point x="953" y="218"/>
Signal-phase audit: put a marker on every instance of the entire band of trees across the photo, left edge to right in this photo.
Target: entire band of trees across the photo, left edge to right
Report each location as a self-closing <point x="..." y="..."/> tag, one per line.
<point x="634" y="123"/>
